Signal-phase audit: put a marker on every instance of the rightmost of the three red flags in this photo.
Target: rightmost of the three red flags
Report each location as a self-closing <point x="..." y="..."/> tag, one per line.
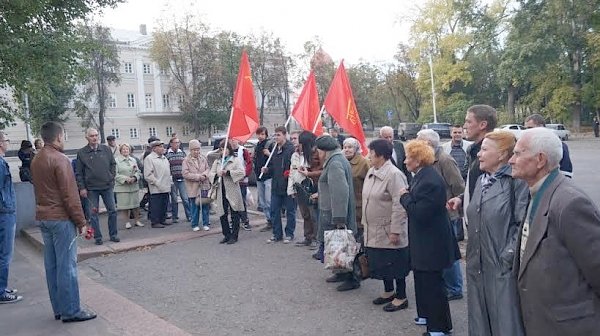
<point x="339" y="103"/>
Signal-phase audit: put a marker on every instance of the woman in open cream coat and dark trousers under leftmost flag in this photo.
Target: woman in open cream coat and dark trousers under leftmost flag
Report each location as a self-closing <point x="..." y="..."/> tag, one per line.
<point x="227" y="173"/>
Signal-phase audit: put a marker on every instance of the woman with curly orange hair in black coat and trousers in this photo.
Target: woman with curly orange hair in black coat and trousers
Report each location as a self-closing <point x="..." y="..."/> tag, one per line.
<point x="432" y="244"/>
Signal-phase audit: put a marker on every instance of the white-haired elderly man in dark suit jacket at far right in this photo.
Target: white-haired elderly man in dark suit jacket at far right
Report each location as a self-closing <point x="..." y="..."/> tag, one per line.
<point x="559" y="260"/>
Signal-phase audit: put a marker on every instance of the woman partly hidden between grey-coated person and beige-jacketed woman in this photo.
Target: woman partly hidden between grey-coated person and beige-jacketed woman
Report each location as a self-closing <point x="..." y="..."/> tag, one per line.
<point x="359" y="166"/>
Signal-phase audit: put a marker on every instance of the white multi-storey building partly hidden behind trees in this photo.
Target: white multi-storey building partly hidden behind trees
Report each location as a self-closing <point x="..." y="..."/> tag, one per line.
<point x="142" y="105"/>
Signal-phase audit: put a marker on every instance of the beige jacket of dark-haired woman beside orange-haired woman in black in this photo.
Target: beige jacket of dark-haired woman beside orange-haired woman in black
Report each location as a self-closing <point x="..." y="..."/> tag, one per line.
<point x="382" y="212"/>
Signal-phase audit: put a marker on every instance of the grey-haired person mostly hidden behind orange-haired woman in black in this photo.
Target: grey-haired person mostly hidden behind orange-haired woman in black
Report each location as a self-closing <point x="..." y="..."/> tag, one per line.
<point x="445" y="165"/>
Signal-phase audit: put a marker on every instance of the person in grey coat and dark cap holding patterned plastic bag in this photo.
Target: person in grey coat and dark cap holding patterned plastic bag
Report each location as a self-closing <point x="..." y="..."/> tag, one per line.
<point x="336" y="199"/>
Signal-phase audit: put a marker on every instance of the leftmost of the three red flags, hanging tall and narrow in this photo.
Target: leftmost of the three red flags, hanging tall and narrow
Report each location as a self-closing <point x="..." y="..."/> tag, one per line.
<point x="244" y="116"/>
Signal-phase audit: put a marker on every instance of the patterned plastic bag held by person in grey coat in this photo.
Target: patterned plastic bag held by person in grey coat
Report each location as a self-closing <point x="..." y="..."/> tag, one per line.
<point x="340" y="250"/>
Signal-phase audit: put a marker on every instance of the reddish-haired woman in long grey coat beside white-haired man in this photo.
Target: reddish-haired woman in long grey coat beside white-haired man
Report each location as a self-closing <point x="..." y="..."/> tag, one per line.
<point x="494" y="213"/>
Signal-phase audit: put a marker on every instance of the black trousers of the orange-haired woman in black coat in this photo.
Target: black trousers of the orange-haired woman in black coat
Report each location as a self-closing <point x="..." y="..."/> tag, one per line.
<point x="432" y="302"/>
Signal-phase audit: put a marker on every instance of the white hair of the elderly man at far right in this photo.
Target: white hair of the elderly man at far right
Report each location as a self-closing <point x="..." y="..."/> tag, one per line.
<point x="544" y="140"/>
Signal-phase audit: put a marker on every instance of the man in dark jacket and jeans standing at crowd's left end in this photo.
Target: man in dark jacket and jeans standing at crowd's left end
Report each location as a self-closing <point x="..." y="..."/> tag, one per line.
<point x="96" y="169"/>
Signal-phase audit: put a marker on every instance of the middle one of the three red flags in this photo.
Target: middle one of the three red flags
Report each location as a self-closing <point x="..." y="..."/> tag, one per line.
<point x="306" y="111"/>
